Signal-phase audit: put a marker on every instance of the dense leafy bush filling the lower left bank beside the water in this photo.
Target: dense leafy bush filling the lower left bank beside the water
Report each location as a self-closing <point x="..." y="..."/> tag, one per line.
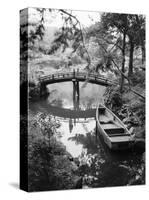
<point x="49" y="166"/>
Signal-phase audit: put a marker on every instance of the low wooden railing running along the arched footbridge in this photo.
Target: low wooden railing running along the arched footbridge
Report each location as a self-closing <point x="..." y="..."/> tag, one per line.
<point x="76" y="74"/>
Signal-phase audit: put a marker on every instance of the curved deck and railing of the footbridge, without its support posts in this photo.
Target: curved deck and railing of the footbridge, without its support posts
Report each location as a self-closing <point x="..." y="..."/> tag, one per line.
<point x="75" y="76"/>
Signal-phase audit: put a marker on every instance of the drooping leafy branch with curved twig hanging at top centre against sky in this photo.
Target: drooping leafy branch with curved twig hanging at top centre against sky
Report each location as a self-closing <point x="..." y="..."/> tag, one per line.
<point x="71" y="34"/>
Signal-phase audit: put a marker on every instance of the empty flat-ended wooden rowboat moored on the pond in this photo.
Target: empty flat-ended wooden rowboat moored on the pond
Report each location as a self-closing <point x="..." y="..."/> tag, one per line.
<point x="114" y="132"/>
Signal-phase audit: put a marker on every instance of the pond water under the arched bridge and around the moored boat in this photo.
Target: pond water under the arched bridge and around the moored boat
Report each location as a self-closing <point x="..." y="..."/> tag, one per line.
<point x="97" y="164"/>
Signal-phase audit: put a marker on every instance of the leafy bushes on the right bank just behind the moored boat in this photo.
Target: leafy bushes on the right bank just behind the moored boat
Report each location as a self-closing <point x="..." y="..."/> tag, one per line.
<point x="130" y="108"/>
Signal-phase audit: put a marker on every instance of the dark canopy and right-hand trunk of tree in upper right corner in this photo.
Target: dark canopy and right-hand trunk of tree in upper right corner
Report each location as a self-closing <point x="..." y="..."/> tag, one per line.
<point x="131" y="25"/>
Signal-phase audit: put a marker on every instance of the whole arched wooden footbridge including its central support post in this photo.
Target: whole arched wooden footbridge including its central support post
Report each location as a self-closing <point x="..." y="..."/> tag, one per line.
<point x="75" y="77"/>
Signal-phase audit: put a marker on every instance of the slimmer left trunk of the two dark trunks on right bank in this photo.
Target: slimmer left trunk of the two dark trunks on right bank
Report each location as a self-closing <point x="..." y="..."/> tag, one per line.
<point x="123" y="62"/>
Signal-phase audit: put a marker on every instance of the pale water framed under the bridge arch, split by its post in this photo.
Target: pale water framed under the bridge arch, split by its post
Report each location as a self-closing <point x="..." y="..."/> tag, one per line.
<point x="63" y="92"/>
